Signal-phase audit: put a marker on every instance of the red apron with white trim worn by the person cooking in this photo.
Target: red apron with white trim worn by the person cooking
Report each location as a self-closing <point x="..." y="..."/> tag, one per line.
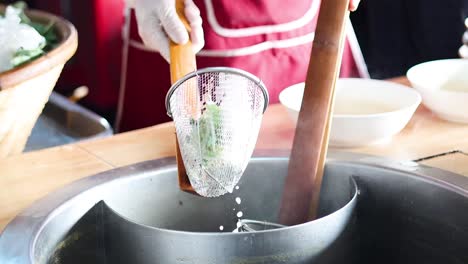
<point x="269" y="38"/>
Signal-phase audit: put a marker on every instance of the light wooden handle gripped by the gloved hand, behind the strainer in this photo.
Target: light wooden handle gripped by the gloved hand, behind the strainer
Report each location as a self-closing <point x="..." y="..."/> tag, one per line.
<point x="182" y="62"/>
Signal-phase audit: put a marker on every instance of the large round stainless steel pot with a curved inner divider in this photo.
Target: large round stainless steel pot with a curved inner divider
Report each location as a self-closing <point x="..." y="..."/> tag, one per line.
<point x="404" y="213"/>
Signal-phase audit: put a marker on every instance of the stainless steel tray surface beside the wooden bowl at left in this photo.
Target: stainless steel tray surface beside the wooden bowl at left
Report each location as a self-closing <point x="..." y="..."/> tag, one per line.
<point x="63" y="122"/>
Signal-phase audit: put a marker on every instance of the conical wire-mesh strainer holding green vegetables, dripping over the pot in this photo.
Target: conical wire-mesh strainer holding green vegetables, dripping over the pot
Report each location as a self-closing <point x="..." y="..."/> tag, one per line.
<point x="217" y="114"/>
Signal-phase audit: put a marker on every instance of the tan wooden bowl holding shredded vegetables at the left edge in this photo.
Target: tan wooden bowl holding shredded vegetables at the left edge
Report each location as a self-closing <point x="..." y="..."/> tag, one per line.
<point x="25" y="90"/>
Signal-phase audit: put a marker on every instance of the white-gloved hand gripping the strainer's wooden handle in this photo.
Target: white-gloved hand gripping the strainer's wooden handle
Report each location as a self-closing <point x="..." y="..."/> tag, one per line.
<point x="157" y="20"/>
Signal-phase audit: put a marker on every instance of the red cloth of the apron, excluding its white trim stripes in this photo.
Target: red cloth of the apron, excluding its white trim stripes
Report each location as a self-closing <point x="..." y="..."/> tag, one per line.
<point x="148" y="74"/>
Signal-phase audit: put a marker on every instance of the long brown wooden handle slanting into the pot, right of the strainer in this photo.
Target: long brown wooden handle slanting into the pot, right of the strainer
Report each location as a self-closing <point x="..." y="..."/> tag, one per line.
<point x="306" y="165"/>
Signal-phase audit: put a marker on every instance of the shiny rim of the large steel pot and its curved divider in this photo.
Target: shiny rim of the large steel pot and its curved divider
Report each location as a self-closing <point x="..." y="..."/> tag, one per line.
<point x="31" y="221"/>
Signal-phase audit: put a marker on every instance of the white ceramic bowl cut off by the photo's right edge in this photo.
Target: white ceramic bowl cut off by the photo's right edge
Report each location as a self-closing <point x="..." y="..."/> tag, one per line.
<point x="443" y="85"/>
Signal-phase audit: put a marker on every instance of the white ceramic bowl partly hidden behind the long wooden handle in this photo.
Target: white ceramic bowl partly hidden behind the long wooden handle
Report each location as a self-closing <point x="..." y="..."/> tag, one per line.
<point x="366" y="111"/>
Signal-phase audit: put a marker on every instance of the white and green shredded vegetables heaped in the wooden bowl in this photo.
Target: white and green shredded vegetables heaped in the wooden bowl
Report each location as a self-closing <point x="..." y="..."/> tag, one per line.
<point x="22" y="40"/>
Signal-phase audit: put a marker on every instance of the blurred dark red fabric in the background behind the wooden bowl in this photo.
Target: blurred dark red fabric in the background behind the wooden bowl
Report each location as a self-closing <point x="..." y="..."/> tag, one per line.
<point x="96" y="63"/>
